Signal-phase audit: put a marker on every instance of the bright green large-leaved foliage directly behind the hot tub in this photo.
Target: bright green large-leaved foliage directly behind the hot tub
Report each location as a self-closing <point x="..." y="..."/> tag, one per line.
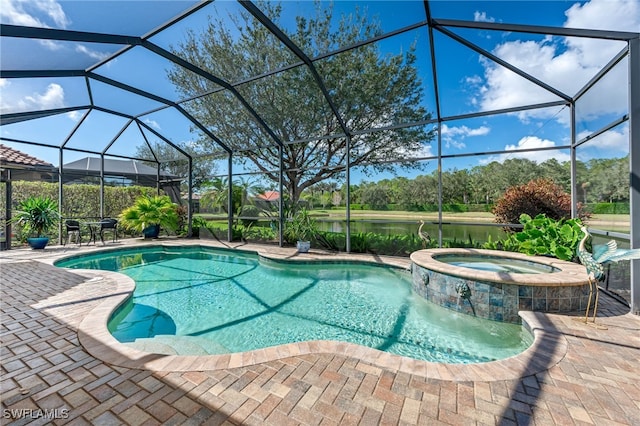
<point x="543" y="236"/>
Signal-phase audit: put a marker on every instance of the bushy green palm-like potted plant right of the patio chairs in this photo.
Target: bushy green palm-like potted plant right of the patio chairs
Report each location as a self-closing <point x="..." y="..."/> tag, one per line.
<point x="149" y="214"/>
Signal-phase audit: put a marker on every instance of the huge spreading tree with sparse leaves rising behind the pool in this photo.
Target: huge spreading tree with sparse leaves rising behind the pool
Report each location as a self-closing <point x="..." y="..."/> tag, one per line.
<point x="369" y="90"/>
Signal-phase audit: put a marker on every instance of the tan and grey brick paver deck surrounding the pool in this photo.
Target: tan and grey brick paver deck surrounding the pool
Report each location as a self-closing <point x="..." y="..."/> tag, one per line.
<point x="55" y="370"/>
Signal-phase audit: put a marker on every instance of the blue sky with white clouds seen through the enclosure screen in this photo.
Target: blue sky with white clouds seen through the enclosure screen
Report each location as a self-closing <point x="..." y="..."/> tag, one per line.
<point x="468" y="82"/>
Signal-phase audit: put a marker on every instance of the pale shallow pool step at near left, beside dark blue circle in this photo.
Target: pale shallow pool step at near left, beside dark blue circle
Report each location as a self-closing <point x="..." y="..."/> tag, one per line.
<point x="178" y="345"/>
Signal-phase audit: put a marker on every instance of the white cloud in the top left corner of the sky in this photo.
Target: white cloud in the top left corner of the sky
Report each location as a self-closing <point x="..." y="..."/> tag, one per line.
<point x="34" y="13"/>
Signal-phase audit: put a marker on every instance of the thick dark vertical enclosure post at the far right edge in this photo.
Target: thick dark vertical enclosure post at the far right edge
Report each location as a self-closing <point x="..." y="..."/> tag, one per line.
<point x="634" y="167"/>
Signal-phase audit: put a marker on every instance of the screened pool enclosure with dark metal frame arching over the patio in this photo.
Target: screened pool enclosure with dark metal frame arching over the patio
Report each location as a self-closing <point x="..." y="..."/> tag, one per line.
<point x="372" y="115"/>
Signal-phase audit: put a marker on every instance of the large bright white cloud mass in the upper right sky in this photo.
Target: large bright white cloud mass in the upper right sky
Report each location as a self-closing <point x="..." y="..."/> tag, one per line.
<point x="564" y="63"/>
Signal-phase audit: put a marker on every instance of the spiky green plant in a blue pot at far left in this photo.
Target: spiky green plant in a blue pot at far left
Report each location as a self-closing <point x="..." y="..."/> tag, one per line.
<point x="37" y="215"/>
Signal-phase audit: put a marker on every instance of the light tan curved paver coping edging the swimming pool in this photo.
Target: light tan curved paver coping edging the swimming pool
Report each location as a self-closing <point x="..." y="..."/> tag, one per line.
<point x="548" y="348"/>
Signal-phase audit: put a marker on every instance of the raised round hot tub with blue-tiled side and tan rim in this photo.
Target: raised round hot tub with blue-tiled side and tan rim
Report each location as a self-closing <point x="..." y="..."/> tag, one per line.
<point x="497" y="284"/>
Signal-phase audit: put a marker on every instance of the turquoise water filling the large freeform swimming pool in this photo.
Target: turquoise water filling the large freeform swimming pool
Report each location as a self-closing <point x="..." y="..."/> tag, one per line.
<point x="238" y="301"/>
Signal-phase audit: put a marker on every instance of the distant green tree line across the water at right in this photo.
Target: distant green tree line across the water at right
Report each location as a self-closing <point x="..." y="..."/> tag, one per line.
<point x="598" y="181"/>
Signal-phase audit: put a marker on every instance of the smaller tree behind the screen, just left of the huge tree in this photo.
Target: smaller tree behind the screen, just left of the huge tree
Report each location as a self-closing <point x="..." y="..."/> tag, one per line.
<point x="203" y="167"/>
